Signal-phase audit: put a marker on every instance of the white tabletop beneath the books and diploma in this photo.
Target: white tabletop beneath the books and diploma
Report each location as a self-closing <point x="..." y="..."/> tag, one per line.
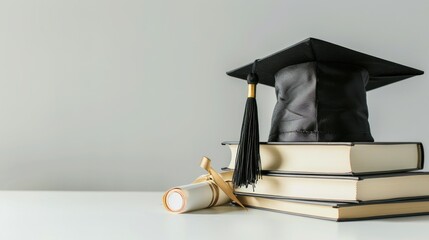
<point x="139" y="215"/>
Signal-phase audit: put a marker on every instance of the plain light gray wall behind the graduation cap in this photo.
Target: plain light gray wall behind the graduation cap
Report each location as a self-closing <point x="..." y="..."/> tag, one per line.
<point x="128" y="95"/>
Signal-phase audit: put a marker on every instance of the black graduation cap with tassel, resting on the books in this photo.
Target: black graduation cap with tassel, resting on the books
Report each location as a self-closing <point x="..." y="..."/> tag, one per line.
<point x="321" y="97"/>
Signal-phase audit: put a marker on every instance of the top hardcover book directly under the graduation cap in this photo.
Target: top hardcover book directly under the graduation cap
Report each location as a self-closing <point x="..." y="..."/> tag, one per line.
<point x="336" y="158"/>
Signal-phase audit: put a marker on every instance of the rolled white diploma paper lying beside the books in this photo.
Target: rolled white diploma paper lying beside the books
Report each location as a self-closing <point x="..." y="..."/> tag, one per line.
<point x="194" y="196"/>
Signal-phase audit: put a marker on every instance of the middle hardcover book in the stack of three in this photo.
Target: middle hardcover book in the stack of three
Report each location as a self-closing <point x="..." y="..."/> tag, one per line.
<point x="341" y="188"/>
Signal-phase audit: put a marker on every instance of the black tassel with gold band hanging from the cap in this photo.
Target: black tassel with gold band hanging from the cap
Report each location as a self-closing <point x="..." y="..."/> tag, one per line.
<point x="248" y="161"/>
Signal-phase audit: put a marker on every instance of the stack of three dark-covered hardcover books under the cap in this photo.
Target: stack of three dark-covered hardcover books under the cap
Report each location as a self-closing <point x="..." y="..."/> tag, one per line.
<point x="339" y="181"/>
